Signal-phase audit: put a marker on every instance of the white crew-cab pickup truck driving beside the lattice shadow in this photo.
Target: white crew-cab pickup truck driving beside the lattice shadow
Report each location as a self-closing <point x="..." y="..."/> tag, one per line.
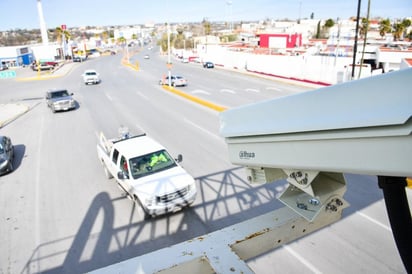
<point x="147" y="173"/>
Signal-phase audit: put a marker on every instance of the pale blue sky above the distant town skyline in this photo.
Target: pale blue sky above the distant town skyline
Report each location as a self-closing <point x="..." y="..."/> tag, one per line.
<point x="23" y="14"/>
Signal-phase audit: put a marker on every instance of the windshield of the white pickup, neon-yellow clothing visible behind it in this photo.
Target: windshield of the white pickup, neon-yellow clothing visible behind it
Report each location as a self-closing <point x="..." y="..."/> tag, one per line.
<point x="151" y="163"/>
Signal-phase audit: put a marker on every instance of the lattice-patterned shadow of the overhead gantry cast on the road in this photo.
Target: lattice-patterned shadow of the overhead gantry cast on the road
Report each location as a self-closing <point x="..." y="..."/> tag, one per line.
<point x="235" y="200"/>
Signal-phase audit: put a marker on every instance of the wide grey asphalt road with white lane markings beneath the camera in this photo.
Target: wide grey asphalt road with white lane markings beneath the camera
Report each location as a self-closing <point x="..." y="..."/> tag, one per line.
<point x="59" y="214"/>
